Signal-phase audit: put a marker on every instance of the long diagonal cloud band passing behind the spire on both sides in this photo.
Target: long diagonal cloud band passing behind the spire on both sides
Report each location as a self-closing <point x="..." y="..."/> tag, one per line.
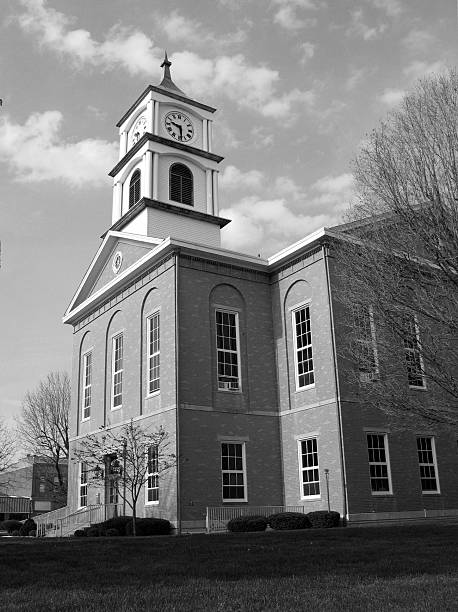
<point x="248" y="86"/>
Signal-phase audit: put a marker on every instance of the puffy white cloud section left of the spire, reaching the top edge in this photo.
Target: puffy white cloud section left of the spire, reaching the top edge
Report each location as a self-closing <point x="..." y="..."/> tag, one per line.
<point x="122" y="47"/>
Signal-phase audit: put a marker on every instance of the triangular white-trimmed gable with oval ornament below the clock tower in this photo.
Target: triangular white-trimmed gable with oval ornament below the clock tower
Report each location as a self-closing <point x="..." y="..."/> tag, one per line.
<point x="102" y="270"/>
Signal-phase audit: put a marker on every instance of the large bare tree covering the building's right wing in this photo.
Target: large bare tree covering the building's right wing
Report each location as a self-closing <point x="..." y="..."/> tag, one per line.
<point x="399" y="256"/>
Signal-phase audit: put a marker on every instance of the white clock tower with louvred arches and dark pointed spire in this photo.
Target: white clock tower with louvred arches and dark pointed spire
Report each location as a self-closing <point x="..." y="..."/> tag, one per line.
<point x="166" y="181"/>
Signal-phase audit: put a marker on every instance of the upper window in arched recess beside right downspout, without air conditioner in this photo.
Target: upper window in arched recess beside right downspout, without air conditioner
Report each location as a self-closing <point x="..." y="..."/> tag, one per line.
<point x="303" y="353"/>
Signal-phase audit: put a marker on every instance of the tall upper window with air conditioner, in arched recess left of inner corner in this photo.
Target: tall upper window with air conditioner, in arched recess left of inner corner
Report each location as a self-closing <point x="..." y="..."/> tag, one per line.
<point x="227" y="350"/>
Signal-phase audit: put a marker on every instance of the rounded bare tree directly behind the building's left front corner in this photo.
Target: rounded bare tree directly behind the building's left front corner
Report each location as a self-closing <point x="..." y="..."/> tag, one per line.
<point x="43" y="425"/>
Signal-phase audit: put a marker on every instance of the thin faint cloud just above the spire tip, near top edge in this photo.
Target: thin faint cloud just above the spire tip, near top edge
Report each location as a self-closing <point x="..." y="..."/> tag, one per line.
<point x="185" y="30"/>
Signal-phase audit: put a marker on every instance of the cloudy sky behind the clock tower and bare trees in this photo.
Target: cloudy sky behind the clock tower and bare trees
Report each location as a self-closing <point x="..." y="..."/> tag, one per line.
<point x="297" y="83"/>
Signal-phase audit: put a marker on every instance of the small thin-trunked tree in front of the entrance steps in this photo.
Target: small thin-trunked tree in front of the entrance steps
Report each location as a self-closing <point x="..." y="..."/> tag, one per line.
<point x="131" y="454"/>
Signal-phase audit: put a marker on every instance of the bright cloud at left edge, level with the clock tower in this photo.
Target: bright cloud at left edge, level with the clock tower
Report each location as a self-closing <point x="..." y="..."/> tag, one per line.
<point x="35" y="152"/>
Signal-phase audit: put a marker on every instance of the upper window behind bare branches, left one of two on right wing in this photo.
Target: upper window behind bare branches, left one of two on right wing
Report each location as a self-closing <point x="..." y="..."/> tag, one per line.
<point x="366" y="346"/>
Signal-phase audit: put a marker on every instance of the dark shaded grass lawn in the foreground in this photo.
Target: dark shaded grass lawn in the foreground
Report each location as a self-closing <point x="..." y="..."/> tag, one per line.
<point x="386" y="568"/>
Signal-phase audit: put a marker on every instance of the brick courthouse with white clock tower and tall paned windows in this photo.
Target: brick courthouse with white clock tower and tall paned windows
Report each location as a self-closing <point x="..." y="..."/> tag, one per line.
<point x="236" y="356"/>
